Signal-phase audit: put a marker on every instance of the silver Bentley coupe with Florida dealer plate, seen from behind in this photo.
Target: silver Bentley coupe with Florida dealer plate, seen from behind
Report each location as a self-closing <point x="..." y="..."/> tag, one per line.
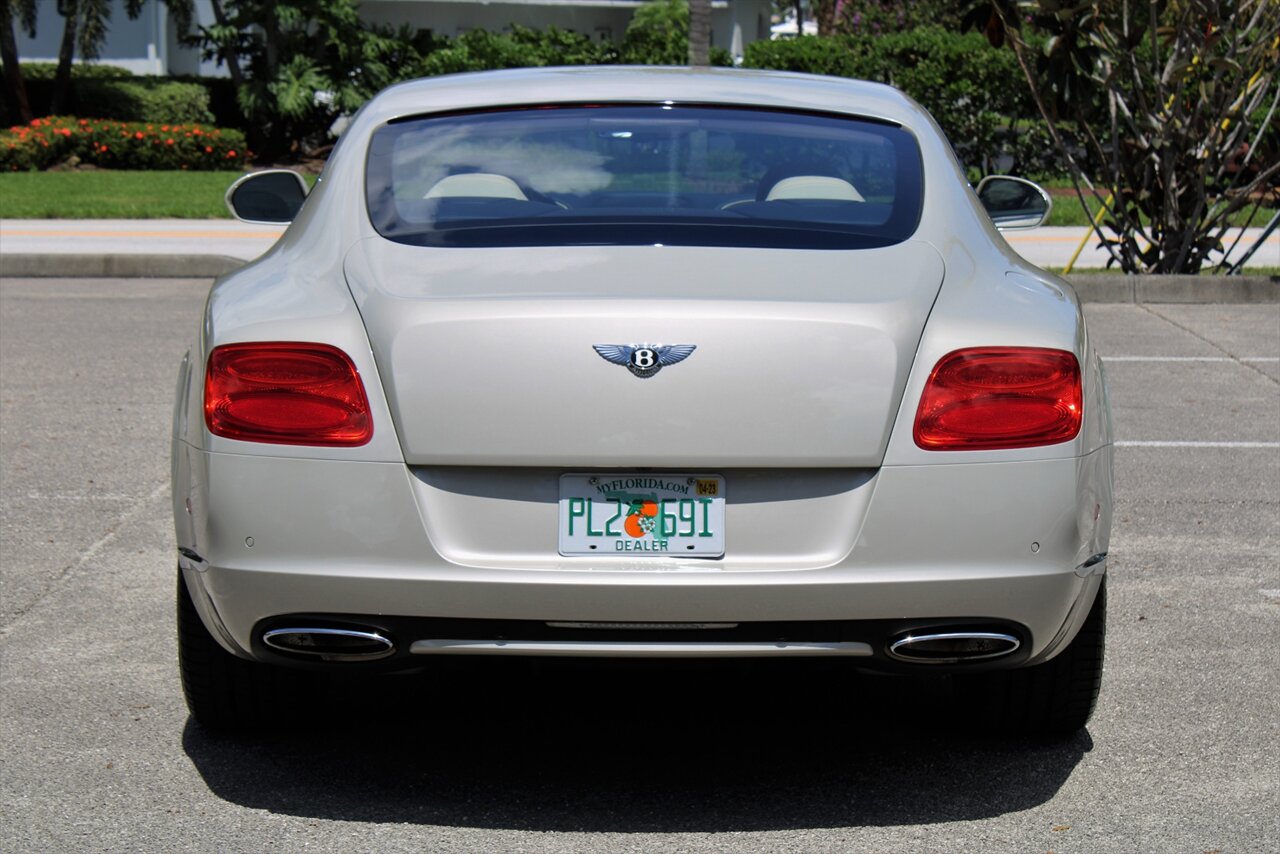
<point x="643" y="363"/>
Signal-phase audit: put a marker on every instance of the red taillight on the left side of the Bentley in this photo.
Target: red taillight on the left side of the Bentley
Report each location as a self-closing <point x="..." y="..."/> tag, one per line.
<point x="287" y="394"/>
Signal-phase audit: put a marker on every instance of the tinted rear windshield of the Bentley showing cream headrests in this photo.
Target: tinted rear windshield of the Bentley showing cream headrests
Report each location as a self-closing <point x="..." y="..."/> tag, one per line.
<point x="644" y="175"/>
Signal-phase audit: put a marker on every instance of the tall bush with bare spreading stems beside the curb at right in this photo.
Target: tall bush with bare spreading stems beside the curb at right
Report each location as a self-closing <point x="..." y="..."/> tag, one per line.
<point x="1176" y="106"/>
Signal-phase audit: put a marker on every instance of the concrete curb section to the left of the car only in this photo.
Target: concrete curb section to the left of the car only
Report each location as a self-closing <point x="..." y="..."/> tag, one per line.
<point x="118" y="267"/>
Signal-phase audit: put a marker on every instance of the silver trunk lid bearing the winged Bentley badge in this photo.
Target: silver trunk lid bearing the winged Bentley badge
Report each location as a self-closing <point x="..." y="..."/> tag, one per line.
<point x="493" y="357"/>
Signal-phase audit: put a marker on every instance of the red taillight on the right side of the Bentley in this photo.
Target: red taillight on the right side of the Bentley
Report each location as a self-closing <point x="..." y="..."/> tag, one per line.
<point x="1000" y="398"/>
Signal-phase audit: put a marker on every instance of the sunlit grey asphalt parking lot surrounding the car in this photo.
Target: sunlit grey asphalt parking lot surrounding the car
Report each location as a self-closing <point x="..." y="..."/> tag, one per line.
<point x="97" y="752"/>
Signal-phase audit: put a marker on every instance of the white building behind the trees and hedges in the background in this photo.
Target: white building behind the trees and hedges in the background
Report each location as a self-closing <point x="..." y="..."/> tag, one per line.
<point x="149" y="44"/>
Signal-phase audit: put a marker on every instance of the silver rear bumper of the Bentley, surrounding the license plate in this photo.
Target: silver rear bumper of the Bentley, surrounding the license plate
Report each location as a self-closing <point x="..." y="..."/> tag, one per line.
<point x="980" y="542"/>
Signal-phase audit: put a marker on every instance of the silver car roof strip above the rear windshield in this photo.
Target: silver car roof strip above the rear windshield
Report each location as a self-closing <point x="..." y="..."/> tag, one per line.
<point x="648" y="85"/>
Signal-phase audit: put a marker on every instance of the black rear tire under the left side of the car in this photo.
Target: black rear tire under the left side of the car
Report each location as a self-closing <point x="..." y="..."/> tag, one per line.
<point x="225" y="692"/>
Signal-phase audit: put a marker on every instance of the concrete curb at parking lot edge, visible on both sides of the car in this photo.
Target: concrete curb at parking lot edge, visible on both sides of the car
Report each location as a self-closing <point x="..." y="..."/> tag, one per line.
<point x="1089" y="287"/>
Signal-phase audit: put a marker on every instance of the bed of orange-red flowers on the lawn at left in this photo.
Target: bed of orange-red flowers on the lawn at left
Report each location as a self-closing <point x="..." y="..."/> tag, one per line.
<point x="121" y="145"/>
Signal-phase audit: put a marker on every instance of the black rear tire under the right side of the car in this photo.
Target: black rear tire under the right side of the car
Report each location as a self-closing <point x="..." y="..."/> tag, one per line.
<point x="1055" y="698"/>
